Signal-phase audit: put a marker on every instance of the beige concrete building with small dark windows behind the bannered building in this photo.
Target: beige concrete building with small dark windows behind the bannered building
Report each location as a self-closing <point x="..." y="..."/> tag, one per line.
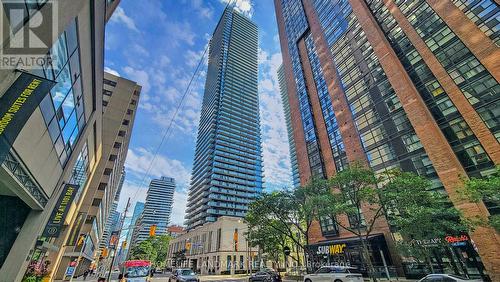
<point x="118" y="105"/>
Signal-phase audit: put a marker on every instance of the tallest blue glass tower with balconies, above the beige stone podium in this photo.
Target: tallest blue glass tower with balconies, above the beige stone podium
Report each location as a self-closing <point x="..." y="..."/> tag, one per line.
<point x="227" y="171"/>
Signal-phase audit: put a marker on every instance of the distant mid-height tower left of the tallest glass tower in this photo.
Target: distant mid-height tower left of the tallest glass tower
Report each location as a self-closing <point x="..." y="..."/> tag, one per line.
<point x="157" y="209"/>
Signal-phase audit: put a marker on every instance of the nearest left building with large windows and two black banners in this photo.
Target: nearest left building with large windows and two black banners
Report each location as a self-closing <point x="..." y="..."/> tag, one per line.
<point x="49" y="150"/>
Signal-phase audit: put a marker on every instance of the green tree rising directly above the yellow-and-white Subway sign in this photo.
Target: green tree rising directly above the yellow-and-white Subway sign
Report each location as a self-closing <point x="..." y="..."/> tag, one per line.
<point x="351" y="192"/>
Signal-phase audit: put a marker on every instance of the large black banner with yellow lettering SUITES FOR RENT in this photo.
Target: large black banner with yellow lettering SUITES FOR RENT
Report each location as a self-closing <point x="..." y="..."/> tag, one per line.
<point x="16" y="106"/>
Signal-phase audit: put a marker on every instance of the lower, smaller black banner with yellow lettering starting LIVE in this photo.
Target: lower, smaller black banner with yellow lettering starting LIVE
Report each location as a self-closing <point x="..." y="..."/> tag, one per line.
<point x="56" y="220"/>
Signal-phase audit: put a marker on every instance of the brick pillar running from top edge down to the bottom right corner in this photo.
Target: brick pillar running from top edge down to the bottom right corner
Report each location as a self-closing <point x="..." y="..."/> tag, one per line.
<point x="447" y="166"/>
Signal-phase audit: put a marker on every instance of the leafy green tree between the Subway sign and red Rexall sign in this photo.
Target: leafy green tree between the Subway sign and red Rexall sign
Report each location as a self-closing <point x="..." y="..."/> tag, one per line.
<point x="419" y="214"/>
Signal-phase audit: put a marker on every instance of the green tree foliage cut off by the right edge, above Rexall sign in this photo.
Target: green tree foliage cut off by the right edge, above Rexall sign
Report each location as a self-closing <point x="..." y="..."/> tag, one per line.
<point x="486" y="189"/>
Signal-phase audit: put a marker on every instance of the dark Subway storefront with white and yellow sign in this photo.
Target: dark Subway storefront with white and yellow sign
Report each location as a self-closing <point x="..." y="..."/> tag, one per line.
<point x="348" y="251"/>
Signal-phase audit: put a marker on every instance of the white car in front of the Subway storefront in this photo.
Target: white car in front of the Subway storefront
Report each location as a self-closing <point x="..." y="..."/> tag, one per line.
<point x="334" y="274"/>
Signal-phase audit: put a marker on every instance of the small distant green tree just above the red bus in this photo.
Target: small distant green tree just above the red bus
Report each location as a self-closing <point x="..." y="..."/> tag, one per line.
<point x="154" y="249"/>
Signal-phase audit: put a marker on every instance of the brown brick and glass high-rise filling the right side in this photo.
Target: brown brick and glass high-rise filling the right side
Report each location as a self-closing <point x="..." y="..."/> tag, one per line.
<point x="408" y="84"/>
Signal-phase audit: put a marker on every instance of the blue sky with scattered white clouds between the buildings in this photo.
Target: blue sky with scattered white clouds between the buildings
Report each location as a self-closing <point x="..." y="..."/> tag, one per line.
<point x="158" y="44"/>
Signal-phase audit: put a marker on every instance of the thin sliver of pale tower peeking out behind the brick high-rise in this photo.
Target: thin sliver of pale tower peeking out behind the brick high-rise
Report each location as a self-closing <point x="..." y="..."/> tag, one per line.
<point x="288" y="120"/>
